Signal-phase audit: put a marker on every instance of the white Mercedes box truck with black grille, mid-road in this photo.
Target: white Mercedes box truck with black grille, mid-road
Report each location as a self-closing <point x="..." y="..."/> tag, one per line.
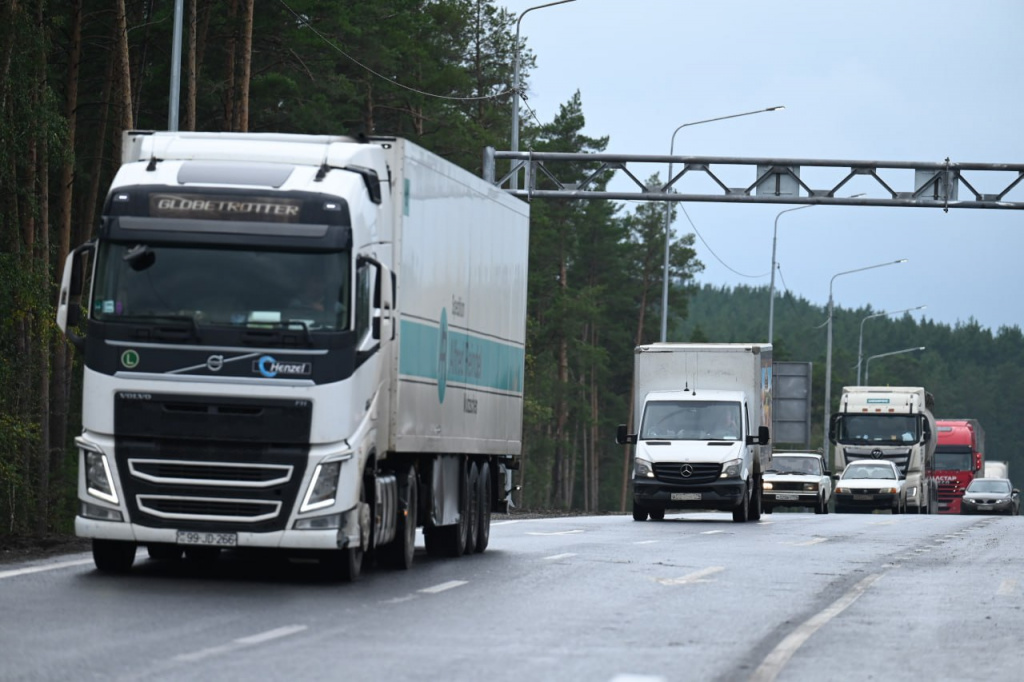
<point x="705" y="415"/>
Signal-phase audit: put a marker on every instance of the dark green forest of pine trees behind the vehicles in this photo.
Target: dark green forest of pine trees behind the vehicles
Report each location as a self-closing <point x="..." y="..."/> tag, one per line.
<point x="76" y="73"/>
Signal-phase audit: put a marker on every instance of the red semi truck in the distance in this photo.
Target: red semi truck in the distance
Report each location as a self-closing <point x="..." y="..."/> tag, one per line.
<point x="960" y="458"/>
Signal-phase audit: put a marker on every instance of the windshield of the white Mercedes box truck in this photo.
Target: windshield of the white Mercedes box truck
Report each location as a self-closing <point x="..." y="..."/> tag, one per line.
<point x="692" y="420"/>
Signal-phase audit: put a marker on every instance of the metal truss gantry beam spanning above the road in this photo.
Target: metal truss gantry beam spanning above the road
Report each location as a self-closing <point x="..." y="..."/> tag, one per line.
<point x="770" y="181"/>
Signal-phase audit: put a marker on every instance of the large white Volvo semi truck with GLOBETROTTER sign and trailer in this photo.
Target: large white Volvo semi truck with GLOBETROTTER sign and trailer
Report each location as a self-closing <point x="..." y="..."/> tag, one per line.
<point x="302" y="343"/>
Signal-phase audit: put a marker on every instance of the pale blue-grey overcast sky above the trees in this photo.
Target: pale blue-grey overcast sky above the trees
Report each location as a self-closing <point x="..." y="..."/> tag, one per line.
<point x="886" y="80"/>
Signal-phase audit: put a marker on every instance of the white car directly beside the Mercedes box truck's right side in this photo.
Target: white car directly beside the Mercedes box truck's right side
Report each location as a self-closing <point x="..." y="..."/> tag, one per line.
<point x="797" y="480"/>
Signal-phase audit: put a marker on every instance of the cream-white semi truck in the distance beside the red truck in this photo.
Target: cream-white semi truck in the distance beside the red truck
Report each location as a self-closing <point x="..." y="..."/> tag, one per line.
<point x="892" y="423"/>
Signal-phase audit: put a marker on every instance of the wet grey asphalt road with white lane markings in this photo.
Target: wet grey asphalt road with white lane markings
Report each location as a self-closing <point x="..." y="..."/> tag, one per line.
<point x="795" y="598"/>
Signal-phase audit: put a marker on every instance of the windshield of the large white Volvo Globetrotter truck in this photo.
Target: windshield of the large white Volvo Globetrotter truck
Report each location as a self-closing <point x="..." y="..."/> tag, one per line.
<point x="222" y="286"/>
